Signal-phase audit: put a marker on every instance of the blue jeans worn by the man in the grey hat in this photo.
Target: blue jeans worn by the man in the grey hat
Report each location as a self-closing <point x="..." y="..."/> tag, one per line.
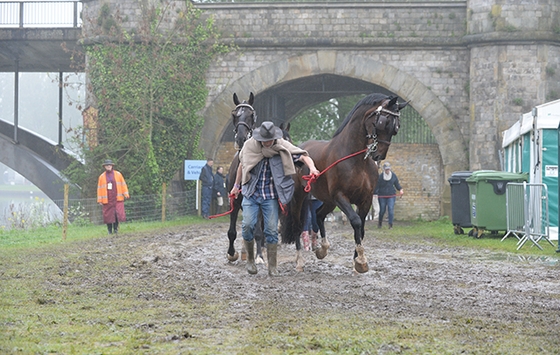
<point x="269" y="209"/>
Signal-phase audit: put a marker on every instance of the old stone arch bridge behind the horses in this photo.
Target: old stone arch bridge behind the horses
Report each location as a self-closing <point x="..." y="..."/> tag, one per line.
<point x="469" y="67"/>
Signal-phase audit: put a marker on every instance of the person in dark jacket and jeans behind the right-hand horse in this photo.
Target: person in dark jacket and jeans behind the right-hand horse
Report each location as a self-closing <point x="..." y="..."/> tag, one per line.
<point x="386" y="192"/>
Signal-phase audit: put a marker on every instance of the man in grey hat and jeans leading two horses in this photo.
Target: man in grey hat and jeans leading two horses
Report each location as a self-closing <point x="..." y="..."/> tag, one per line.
<point x="265" y="174"/>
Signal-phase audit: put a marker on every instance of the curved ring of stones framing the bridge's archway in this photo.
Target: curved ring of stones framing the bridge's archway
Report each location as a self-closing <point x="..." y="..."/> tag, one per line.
<point x="452" y="147"/>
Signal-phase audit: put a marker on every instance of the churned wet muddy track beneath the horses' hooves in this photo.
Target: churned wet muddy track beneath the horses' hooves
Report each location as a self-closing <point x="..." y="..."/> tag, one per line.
<point x="405" y="280"/>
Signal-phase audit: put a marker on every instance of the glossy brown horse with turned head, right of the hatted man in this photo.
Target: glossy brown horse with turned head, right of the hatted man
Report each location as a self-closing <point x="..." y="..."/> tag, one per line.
<point x="366" y="132"/>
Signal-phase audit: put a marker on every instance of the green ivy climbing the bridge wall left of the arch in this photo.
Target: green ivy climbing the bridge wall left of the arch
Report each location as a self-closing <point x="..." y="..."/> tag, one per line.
<point x="148" y="84"/>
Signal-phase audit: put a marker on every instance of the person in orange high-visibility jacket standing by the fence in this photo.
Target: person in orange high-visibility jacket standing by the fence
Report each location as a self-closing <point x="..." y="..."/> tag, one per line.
<point x="111" y="192"/>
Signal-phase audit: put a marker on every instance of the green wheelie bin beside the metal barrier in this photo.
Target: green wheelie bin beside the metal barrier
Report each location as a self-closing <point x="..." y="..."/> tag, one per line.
<point x="487" y="189"/>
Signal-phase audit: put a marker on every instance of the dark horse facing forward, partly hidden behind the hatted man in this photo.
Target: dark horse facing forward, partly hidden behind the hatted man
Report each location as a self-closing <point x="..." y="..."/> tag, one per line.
<point x="244" y="118"/>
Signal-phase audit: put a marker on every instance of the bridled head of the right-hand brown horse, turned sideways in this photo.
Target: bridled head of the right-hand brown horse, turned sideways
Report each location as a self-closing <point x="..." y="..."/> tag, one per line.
<point x="381" y="124"/>
